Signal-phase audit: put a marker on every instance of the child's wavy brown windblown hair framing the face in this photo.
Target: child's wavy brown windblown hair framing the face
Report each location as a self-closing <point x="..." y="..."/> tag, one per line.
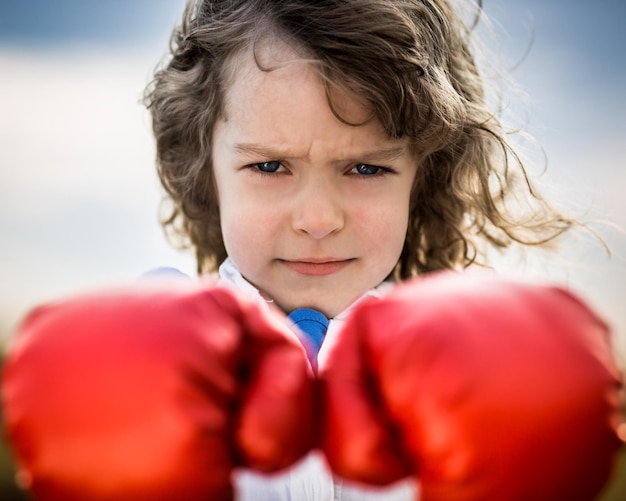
<point x="410" y="61"/>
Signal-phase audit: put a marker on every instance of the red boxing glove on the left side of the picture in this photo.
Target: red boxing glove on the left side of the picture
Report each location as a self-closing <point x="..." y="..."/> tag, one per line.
<point x="154" y="395"/>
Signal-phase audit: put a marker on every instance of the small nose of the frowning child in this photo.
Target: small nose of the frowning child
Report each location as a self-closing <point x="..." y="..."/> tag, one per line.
<point x="318" y="208"/>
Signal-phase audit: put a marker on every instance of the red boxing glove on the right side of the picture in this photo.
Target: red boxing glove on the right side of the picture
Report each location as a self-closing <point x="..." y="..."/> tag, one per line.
<point x="481" y="388"/>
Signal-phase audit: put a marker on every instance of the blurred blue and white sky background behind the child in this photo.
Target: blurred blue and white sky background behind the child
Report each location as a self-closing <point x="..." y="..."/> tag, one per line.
<point x="79" y="193"/>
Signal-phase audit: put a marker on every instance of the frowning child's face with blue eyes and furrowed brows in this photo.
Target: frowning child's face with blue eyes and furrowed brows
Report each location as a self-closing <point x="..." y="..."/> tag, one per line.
<point x="314" y="212"/>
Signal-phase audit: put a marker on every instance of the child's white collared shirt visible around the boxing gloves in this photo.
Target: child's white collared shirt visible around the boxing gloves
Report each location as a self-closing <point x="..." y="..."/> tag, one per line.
<point x="310" y="479"/>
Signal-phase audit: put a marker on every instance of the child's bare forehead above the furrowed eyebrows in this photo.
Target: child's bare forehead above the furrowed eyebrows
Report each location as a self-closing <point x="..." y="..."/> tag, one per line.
<point x="279" y="98"/>
